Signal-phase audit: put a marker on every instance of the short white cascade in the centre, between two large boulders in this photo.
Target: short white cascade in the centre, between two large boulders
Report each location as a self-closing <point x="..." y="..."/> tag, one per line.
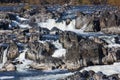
<point x="60" y="52"/>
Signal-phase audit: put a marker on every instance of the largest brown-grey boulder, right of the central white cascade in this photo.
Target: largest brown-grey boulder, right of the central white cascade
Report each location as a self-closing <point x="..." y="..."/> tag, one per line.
<point x="86" y="53"/>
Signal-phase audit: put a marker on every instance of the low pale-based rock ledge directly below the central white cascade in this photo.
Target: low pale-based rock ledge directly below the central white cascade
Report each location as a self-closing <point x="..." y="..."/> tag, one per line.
<point x="47" y="63"/>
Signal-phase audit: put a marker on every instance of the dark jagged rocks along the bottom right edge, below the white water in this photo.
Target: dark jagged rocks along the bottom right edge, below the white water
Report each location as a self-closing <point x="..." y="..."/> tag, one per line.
<point x="91" y="75"/>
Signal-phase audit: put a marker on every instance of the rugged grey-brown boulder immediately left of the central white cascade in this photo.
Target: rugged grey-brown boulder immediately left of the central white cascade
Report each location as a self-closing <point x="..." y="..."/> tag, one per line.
<point x="38" y="51"/>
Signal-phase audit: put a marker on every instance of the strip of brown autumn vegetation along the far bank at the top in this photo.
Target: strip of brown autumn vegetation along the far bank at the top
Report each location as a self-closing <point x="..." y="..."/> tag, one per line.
<point x="75" y="2"/>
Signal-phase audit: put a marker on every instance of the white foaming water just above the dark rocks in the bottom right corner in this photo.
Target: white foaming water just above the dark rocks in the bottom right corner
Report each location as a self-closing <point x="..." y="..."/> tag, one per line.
<point x="106" y="69"/>
